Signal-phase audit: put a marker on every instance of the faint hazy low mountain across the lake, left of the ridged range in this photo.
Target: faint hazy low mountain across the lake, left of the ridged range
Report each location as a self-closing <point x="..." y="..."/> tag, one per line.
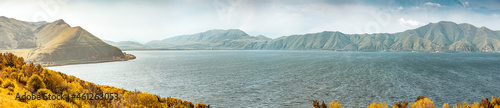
<point x="212" y="39"/>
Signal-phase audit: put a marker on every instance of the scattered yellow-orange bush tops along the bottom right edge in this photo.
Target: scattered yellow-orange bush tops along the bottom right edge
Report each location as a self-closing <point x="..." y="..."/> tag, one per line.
<point x="420" y="102"/>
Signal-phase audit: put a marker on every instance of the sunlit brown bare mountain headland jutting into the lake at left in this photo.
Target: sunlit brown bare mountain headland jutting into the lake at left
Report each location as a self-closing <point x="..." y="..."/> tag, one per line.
<point x="54" y="43"/>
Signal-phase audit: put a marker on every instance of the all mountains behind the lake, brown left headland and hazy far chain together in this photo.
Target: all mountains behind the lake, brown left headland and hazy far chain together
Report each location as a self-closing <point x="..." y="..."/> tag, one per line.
<point x="57" y="43"/>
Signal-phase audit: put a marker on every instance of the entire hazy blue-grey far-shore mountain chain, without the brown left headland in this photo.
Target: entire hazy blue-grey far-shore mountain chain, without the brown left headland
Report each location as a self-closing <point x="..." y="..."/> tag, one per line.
<point x="443" y="36"/>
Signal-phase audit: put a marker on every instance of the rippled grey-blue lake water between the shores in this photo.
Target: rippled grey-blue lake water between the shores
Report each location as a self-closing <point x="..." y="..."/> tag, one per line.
<point x="232" y="79"/>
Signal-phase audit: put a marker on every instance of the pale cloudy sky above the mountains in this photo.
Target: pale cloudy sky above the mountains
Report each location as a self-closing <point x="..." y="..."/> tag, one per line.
<point x="146" y="20"/>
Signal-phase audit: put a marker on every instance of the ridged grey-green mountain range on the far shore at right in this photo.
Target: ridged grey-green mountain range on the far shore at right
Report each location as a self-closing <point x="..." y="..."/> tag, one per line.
<point x="443" y="36"/>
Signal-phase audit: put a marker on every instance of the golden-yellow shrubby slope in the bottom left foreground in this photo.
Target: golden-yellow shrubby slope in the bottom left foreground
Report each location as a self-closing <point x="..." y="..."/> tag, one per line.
<point x="19" y="77"/>
